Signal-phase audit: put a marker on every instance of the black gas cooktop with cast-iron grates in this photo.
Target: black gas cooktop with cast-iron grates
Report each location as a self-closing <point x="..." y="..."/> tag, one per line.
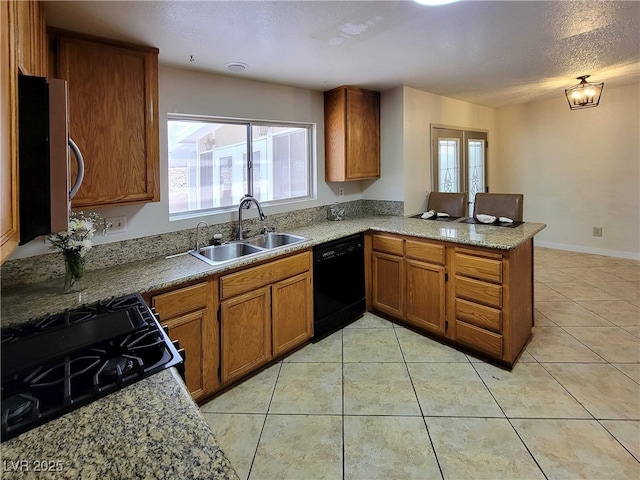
<point x="58" y="363"/>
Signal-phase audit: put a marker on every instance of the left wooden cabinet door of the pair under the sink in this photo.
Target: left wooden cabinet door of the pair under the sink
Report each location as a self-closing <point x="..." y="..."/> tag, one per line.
<point x="246" y="333"/>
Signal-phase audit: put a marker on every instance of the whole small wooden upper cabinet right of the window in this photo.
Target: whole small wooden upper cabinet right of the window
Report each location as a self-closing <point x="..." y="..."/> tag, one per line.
<point x="352" y="134"/>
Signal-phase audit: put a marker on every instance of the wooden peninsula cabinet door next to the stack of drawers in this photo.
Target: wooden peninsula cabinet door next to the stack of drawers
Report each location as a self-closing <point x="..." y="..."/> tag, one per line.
<point x="425" y="305"/>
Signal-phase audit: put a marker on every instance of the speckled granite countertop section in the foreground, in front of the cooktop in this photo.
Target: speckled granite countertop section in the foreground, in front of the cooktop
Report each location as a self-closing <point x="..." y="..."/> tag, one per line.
<point x="151" y="429"/>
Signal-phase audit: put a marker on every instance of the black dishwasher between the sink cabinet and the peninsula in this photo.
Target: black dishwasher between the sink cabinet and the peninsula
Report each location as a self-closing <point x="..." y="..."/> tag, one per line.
<point x="338" y="284"/>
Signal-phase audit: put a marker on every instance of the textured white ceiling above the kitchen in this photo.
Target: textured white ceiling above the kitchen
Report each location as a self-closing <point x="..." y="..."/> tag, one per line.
<point x="488" y="53"/>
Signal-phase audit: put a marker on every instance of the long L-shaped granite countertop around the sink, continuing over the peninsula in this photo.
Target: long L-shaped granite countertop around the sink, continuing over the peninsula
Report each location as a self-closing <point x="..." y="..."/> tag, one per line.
<point x="22" y="303"/>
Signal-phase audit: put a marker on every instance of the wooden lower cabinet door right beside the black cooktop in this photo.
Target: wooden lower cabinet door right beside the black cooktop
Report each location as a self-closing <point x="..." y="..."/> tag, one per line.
<point x="187" y="329"/>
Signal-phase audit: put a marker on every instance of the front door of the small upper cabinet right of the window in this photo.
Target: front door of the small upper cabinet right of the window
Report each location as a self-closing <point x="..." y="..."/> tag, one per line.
<point x="363" y="134"/>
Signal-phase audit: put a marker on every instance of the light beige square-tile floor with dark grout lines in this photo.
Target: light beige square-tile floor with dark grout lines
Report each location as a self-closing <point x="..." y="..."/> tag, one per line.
<point x="376" y="400"/>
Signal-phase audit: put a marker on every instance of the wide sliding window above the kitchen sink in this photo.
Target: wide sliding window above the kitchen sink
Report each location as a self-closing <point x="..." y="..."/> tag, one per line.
<point x="211" y="168"/>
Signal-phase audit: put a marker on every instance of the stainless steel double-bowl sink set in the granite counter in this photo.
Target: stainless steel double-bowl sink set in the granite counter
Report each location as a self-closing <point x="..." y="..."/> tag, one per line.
<point x="227" y="252"/>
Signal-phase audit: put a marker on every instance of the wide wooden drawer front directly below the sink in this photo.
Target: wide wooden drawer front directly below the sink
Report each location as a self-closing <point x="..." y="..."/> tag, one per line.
<point x="256" y="277"/>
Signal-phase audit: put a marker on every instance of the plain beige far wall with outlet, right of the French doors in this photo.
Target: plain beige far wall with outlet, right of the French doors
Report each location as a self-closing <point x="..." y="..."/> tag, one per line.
<point x="577" y="169"/>
